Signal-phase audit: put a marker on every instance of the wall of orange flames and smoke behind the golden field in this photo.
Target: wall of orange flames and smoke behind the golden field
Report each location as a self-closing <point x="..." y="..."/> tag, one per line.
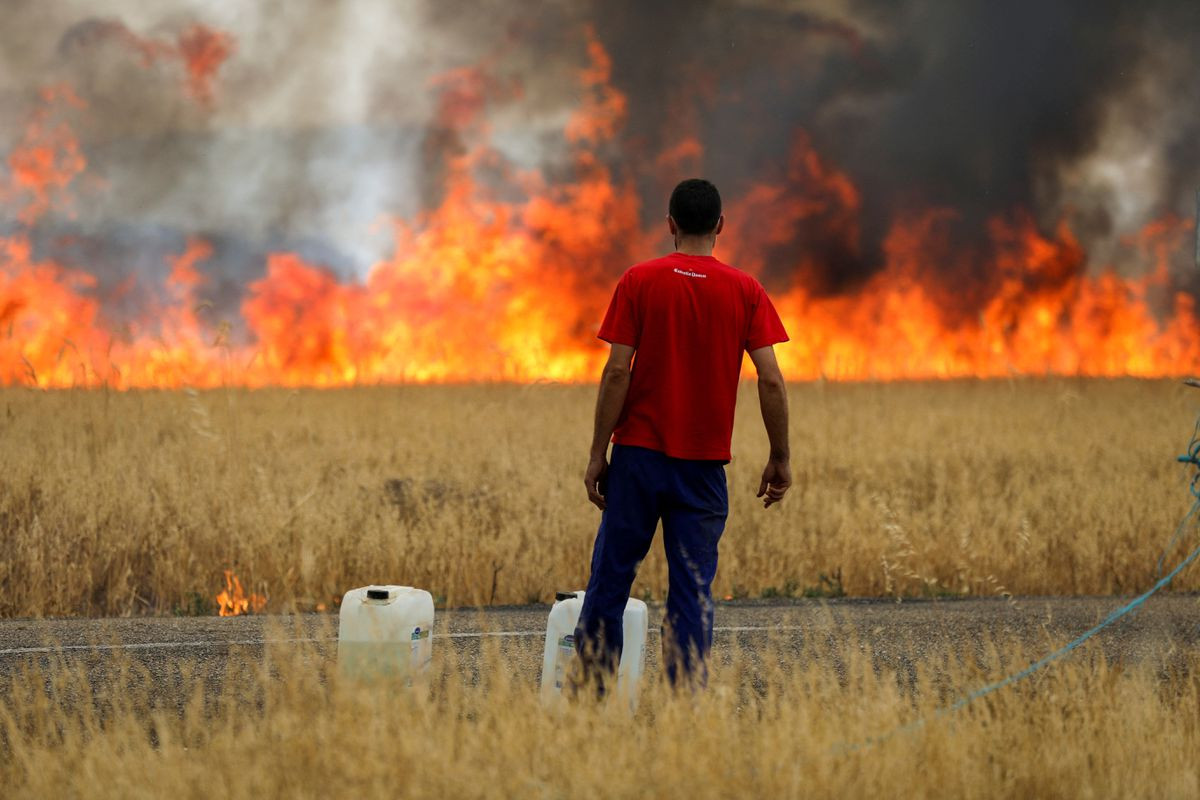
<point x="176" y="216"/>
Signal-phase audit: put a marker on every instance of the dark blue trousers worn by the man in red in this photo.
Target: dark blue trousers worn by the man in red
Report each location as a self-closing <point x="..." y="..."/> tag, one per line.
<point x="692" y="500"/>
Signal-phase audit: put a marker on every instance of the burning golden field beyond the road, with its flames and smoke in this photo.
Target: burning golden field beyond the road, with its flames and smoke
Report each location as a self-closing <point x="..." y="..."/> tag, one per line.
<point x="189" y="207"/>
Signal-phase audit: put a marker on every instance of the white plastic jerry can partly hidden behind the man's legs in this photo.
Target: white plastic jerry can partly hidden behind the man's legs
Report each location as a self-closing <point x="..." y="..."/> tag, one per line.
<point x="565" y="616"/>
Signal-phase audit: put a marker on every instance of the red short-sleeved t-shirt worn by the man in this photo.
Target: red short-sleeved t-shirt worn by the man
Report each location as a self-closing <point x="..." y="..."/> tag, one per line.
<point x="691" y="318"/>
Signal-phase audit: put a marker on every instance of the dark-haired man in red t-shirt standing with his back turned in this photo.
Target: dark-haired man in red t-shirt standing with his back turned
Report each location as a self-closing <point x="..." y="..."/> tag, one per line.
<point x="670" y="416"/>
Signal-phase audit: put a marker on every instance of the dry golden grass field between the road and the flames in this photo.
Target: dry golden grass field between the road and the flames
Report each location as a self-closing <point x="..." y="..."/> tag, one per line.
<point x="135" y="503"/>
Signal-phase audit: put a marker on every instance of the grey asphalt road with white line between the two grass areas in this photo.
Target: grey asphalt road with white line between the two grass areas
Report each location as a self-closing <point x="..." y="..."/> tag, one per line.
<point x="173" y="653"/>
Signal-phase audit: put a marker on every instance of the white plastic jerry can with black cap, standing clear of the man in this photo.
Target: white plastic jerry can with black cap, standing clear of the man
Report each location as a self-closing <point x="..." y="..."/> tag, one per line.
<point x="386" y="631"/>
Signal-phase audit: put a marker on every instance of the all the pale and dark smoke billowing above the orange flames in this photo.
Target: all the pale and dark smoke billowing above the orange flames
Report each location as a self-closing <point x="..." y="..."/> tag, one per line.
<point x="327" y="119"/>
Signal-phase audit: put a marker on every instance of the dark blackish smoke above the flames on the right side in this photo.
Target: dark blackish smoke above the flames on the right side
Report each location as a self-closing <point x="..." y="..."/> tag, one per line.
<point x="975" y="106"/>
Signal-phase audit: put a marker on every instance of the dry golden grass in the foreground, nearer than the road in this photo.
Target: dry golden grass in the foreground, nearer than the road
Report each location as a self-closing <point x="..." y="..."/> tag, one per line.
<point x="788" y="727"/>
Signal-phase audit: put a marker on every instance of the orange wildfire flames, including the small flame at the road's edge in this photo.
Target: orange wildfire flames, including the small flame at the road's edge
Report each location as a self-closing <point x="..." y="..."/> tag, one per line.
<point x="511" y="285"/>
